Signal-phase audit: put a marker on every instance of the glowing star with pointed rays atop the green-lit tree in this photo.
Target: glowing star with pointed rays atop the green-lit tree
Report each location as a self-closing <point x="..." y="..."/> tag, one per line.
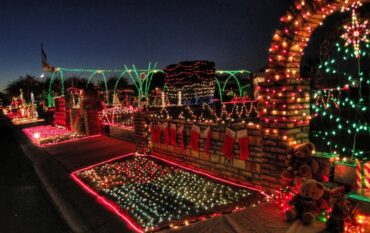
<point x="355" y="33"/>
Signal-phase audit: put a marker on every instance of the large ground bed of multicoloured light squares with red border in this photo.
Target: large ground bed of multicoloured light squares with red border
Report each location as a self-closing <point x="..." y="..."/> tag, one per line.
<point x="152" y="193"/>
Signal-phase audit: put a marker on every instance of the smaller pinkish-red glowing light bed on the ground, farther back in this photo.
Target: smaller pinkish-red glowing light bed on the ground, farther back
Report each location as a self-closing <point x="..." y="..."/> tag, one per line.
<point x="47" y="134"/>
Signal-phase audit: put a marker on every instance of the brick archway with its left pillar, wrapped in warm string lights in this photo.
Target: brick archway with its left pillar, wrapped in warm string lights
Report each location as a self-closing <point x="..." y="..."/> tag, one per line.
<point x="284" y="96"/>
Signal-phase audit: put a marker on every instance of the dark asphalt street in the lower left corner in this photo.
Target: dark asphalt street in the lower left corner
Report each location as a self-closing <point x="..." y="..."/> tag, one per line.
<point x="24" y="207"/>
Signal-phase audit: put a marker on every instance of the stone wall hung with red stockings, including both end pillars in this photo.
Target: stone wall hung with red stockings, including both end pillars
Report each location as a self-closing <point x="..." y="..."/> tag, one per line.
<point x="279" y="127"/>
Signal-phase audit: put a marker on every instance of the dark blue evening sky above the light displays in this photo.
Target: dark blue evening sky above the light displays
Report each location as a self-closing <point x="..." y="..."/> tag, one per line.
<point x="235" y="34"/>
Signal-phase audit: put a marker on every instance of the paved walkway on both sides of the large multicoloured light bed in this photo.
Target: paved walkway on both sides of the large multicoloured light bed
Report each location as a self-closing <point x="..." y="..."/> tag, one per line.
<point x="82" y="212"/>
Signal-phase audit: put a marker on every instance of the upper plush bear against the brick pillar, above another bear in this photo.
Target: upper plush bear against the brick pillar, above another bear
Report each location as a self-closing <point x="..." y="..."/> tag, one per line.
<point x="301" y="165"/>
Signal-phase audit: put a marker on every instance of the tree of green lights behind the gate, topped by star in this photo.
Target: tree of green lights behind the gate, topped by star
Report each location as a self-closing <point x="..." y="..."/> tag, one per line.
<point x="341" y="107"/>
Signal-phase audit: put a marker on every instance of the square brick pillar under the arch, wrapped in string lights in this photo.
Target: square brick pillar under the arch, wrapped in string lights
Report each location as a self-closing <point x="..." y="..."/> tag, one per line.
<point x="284" y="108"/>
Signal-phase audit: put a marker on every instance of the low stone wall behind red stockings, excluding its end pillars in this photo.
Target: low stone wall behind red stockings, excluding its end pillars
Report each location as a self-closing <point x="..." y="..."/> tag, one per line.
<point x="254" y="170"/>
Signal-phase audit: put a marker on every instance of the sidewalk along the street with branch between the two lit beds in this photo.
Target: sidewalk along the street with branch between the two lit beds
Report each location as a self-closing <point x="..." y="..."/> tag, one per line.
<point x="53" y="166"/>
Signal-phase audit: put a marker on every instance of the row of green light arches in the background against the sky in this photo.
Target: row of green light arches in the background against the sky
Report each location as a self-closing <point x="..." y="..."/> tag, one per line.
<point x="142" y="80"/>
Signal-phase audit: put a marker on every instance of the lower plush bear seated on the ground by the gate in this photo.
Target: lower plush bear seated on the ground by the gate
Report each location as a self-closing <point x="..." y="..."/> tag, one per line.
<point x="308" y="203"/>
